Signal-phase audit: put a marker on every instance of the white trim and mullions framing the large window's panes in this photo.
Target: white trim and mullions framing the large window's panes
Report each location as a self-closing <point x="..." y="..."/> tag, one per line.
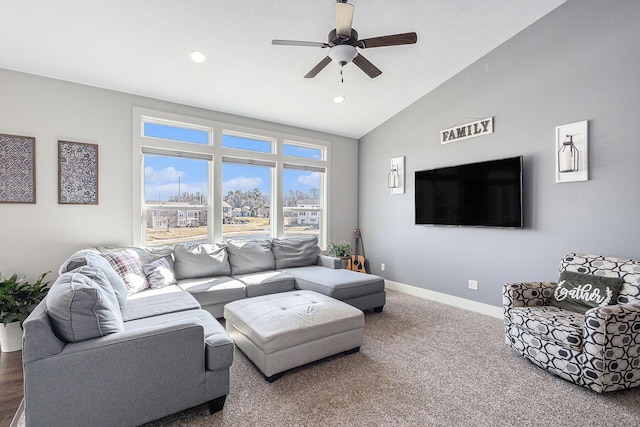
<point x="216" y="153"/>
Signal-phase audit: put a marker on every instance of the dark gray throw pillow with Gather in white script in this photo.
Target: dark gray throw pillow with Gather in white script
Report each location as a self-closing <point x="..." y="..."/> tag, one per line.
<point x="581" y="292"/>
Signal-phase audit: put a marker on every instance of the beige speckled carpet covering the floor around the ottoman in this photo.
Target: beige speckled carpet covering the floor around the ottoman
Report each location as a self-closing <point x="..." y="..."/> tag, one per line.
<point x="422" y="364"/>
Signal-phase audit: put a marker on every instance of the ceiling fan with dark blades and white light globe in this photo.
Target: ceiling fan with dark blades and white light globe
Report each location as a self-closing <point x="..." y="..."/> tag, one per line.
<point x="343" y="43"/>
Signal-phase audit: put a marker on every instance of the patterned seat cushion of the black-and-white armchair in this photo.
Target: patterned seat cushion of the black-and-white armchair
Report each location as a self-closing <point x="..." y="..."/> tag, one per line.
<point x="552" y="324"/>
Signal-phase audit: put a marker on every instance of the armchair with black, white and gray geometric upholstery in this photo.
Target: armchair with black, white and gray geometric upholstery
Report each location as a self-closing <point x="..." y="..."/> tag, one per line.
<point x="599" y="349"/>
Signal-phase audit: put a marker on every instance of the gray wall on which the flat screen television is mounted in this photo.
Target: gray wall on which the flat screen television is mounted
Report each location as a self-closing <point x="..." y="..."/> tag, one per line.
<point x="578" y="63"/>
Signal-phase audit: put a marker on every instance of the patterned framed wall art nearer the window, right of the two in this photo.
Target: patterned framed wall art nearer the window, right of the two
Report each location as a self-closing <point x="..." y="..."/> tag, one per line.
<point x="77" y="173"/>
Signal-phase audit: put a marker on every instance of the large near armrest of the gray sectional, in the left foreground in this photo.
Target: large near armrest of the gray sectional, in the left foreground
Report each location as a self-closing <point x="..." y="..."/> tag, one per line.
<point x="126" y="378"/>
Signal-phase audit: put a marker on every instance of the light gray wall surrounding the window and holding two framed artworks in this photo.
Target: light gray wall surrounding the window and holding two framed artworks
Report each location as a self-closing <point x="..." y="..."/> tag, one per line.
<point x="37" y="238"/>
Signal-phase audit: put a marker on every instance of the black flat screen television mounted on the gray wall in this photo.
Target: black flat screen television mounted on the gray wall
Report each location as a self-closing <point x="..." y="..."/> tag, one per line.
<point x="487" y="194"/>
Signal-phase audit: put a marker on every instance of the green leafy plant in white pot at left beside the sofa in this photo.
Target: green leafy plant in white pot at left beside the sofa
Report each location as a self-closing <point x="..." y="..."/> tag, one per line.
<point x="18" y="298"/>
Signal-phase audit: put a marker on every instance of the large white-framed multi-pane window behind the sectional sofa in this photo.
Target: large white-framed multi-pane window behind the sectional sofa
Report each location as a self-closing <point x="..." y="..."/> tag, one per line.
<point x="198" y="180"/>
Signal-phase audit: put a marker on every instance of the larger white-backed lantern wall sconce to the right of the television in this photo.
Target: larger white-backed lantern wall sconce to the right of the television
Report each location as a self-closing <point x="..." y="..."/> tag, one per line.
<point x="571" y="152"/>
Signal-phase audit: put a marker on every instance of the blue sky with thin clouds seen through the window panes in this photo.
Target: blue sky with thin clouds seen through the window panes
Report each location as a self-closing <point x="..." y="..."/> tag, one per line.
<point x="162" y="172"/>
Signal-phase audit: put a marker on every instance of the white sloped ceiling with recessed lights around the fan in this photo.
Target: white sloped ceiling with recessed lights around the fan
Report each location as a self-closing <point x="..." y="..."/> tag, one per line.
<point x="142" y="47"/>
